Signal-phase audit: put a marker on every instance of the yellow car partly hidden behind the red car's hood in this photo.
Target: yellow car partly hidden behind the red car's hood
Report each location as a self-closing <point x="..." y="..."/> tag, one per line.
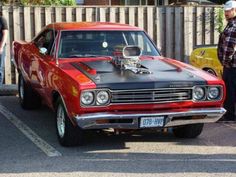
<point x="205" y="57"/>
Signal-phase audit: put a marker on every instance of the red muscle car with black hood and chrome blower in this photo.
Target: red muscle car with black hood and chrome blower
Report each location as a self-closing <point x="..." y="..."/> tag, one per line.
<point x="105" y="75"/>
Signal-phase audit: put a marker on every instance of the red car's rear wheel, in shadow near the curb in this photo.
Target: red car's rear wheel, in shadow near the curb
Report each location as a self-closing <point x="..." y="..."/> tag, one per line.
<point x="29" y="99"/>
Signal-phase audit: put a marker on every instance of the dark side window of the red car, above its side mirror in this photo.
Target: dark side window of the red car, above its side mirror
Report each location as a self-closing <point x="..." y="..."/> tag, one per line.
<point x="46" y="40"/>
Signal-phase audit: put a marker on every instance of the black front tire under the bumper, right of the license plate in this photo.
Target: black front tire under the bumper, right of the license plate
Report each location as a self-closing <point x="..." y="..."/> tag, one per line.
<point x="188" y="131"/>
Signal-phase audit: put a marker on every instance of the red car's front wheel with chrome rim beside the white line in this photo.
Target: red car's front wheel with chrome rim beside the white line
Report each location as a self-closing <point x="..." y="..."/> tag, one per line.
<point x="67" y="133"/>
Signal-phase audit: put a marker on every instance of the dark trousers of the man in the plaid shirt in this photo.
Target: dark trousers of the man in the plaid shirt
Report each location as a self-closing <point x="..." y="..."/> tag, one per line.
<point x="229" y="77"/>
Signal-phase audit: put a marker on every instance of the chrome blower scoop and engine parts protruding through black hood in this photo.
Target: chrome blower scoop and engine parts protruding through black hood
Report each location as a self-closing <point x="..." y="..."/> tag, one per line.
<point x="129" y="60"/>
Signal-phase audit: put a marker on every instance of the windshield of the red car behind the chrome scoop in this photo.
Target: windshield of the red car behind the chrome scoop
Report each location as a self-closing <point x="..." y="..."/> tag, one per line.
<point x="102" y="43"/>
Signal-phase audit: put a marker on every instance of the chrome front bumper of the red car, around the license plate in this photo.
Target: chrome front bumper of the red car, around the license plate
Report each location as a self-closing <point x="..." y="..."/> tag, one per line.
<point x="172" y="118"/>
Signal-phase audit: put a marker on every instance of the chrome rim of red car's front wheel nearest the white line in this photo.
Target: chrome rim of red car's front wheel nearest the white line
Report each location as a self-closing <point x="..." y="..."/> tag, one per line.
<point x="61" y="121"/>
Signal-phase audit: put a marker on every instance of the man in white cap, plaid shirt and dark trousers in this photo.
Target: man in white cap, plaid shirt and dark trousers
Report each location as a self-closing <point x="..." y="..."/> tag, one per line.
<point x="227" y="55"/>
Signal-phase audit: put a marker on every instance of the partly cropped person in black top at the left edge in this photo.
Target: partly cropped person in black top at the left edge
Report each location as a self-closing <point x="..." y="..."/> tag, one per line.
<point x="3" y="40"/>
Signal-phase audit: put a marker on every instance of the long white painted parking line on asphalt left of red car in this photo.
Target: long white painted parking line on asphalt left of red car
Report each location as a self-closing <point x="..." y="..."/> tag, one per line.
<point x="29" y="133"/>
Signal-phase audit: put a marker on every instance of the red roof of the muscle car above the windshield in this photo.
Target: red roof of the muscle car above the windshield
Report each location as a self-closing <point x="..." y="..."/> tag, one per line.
<point x="91" y="26"/>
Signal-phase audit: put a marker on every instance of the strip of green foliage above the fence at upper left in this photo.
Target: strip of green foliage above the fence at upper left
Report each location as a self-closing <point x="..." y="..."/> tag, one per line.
<point x="48" y="2"/>
